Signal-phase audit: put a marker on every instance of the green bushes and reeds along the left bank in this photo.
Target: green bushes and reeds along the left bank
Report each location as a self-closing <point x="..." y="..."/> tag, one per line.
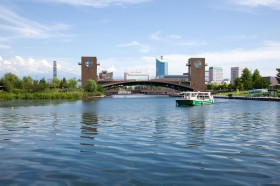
<point x="13" y="88"/>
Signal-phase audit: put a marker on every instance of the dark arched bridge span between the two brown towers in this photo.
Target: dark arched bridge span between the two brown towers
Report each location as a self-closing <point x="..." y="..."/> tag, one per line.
<point x="176" y="85"/>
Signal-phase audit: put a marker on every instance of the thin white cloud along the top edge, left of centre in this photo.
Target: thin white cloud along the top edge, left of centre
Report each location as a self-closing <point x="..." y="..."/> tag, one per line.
<point x="96" y="3"/>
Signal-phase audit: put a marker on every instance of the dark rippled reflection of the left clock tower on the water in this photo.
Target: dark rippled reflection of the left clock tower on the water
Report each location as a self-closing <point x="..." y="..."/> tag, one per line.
<point x="89" y="124"/>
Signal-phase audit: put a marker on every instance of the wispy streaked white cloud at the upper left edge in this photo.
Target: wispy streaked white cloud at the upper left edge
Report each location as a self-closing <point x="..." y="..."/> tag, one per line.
<point x="16" y="26"/>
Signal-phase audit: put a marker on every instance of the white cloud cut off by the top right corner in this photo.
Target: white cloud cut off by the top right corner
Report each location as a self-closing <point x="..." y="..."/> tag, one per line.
<point x="274" y="4"/>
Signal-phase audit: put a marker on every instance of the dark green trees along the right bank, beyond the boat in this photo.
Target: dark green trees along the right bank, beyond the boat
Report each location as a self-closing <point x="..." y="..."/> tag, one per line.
<point x="247" y="81"/>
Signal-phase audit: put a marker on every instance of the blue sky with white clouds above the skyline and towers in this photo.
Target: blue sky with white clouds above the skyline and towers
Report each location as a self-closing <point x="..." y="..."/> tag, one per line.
<point x="128" y="35"/>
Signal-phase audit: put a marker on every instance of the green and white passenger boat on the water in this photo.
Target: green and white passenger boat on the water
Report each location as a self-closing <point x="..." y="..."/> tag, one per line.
<point x="195" y="99"/>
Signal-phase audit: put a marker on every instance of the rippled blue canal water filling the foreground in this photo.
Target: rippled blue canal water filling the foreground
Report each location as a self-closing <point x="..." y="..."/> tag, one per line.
<point x="139" y="140"/>
